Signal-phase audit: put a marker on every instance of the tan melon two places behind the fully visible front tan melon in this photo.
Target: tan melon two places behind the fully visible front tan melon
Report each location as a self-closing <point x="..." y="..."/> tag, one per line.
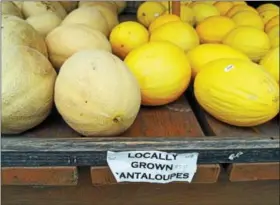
<point x="88" y="16"/>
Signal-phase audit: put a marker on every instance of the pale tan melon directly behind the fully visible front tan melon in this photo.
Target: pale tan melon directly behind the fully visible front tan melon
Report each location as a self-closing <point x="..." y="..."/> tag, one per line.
<point x="65" y="40"/>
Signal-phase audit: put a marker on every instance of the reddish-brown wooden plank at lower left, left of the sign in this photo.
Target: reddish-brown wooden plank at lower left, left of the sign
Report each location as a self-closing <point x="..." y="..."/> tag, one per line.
<point x="43" y="176"/>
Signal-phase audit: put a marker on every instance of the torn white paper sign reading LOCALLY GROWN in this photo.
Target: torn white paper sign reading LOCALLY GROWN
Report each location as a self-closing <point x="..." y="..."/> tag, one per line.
<point x="152" y="166"/>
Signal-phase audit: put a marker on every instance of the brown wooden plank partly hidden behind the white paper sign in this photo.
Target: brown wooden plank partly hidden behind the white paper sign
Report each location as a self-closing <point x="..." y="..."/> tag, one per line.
<point x="204" y="174"/>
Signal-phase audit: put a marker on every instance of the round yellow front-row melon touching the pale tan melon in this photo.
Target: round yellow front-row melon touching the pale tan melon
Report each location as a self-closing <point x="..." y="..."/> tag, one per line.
<point x="162" y="70"/>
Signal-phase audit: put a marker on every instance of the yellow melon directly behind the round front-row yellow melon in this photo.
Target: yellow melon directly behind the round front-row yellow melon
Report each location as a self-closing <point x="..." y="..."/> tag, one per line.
<point x="185" y="36"/>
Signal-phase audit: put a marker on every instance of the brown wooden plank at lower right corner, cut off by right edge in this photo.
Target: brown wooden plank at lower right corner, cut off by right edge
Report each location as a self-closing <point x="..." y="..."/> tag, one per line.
<point x="254" y="171"/>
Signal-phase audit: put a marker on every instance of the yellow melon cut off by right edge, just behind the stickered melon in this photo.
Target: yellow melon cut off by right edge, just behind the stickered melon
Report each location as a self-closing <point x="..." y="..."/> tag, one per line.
<point x="271" y="63"/>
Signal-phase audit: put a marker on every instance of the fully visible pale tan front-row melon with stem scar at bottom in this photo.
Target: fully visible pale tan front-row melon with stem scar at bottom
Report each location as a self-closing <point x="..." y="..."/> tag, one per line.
<point x="96" y="94"/>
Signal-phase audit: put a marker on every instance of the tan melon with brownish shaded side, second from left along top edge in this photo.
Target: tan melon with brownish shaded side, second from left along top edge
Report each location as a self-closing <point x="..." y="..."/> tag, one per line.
<point x="33" y="8"/>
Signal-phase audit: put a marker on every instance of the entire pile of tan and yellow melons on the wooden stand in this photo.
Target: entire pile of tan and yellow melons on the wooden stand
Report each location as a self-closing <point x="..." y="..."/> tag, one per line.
<point x="97" y="72"/>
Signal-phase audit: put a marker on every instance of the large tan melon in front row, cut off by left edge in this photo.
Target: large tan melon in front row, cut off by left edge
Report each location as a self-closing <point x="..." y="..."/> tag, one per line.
<point x="28" y="80"/>
